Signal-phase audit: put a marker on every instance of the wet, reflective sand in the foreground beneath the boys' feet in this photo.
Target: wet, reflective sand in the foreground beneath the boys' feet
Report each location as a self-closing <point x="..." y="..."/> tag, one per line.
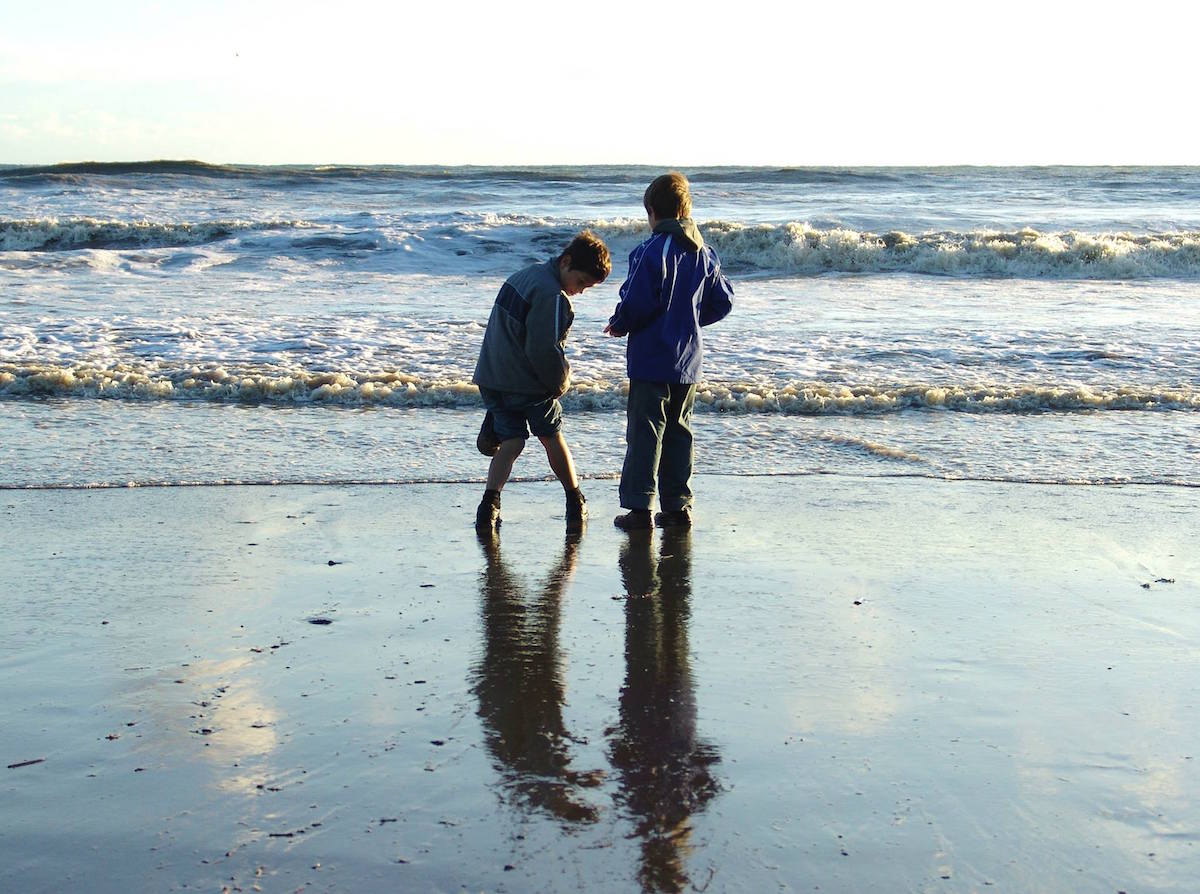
<point x="831" y="683"/>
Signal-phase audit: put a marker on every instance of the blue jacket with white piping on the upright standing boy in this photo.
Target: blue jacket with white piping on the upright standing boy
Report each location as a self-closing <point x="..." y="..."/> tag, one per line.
<point x="675" y="287"/>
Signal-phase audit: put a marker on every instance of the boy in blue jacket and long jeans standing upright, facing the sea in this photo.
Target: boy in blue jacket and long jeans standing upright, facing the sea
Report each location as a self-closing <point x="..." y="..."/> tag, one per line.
<point x="675" y="287"/>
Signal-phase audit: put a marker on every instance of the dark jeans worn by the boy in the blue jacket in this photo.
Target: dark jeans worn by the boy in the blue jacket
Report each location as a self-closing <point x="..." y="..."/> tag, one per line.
<point x="658" y="446"/>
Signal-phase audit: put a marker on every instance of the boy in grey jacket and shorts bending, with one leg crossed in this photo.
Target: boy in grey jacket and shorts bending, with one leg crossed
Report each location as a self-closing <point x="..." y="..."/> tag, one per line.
<point x="523" y="371"/>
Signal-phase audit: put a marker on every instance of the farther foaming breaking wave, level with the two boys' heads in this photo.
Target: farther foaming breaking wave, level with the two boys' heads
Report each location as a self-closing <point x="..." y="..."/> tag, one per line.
<point x="770" y="250"/>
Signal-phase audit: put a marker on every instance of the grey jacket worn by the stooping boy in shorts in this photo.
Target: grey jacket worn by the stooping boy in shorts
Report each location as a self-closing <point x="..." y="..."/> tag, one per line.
<point x="523" y="347"/>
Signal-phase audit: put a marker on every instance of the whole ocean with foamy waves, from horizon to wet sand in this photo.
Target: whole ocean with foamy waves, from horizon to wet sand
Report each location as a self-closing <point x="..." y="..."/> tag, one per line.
<point x="175" y="323"/>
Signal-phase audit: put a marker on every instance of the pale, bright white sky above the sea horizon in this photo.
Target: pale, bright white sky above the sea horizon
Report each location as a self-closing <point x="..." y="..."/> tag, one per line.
<point x="740" y="82"/>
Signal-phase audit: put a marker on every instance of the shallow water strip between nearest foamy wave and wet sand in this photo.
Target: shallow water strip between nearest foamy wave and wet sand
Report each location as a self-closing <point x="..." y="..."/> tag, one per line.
<point x="119" y="443"/>
